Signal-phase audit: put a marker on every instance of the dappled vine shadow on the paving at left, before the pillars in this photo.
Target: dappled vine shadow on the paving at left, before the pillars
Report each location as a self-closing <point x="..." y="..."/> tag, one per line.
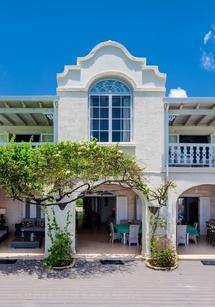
<point x="81" y="269"/>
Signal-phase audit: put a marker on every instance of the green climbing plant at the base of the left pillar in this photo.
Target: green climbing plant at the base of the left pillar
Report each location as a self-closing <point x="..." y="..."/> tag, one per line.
<point x="60" y="253"/>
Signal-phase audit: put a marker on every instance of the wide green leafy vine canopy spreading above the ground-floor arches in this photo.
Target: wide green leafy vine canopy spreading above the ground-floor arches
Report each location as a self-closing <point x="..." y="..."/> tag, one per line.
<point x="50" y="173"/>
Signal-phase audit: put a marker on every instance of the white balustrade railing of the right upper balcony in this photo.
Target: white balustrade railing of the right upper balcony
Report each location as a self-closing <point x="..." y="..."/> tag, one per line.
<point x="192" y="155"/>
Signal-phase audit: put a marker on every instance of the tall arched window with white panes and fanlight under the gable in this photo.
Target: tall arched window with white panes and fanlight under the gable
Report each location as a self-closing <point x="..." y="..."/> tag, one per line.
<point x="110" y="103"/>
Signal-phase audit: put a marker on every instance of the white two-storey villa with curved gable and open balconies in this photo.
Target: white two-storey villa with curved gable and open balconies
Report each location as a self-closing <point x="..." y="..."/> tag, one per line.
<point x="117" y="98"/>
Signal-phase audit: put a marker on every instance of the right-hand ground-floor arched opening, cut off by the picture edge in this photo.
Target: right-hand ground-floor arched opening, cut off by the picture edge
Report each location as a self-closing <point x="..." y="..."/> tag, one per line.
<point x="195" y="212"/>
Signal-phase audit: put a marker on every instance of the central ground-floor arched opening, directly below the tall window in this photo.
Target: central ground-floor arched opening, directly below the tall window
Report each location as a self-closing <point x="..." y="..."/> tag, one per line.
<point x="110" y="205"/>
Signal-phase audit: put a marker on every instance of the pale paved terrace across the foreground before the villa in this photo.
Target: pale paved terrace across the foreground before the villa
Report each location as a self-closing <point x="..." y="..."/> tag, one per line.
<point x="91" y="284"/>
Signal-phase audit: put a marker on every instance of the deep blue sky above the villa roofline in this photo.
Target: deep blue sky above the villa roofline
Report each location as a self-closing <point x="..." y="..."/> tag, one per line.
<point x="37" y="38"/>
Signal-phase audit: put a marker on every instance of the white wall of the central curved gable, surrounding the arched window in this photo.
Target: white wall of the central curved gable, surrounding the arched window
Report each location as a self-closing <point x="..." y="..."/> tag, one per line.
<point x="111" y="59"/>
